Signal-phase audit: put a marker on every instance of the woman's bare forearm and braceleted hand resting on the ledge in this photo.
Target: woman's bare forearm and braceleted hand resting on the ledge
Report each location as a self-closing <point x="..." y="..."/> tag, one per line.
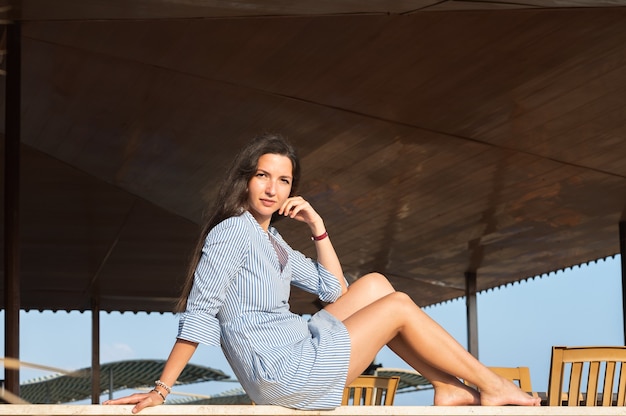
<point x="179" y="357"/>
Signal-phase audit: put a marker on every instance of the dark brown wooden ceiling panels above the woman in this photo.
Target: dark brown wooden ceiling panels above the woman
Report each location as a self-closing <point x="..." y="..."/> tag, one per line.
<point x="436" y="137"/>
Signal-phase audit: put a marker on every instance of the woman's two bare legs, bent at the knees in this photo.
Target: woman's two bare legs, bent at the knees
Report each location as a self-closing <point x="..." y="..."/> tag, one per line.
<point x="376" y="315"/>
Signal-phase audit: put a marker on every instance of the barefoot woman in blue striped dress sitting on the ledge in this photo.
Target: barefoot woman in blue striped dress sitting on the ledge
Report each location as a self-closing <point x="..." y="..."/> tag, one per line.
<point x="237" y="293"/>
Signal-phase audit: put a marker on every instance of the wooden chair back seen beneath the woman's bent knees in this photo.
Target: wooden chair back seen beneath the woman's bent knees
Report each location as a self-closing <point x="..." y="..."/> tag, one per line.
<point x="370" y="391"/>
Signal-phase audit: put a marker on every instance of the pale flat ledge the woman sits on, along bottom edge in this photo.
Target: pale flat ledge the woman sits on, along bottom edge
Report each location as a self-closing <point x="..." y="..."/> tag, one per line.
<point x="235" y="410"/>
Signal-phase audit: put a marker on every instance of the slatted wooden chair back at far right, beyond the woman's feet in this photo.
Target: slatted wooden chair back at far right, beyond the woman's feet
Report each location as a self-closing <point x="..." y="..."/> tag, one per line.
<point x="594" y="369"/>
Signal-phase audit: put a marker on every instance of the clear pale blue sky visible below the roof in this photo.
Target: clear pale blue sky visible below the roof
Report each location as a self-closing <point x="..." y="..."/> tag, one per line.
<point x="517" y="326"/>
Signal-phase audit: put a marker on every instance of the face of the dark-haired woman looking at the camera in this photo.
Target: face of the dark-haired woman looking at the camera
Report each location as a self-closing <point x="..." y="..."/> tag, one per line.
<point x="270" y="186"/>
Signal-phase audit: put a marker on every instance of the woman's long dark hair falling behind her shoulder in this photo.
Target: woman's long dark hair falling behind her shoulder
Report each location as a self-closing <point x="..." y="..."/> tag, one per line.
<point x="232" y="198"/>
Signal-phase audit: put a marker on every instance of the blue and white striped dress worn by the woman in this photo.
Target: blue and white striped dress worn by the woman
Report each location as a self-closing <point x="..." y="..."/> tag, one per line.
<point x="240" y="300"/>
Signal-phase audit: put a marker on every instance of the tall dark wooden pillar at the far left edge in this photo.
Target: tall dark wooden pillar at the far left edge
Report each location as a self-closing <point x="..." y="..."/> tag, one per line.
<point x="11" y="205"/>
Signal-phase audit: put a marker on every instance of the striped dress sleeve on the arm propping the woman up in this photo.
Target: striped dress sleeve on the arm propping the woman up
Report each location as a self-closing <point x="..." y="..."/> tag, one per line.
<point x="223" y="253"/>
